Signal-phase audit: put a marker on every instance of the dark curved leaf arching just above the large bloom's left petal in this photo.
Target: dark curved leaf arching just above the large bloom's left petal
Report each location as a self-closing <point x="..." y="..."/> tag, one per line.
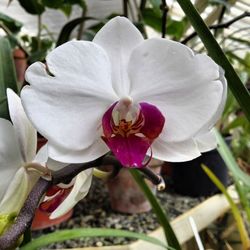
<point x="65" y="33"/>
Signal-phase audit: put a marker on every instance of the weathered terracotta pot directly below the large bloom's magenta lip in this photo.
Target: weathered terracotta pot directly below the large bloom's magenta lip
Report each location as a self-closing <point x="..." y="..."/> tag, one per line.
<point x="126" y="196"/>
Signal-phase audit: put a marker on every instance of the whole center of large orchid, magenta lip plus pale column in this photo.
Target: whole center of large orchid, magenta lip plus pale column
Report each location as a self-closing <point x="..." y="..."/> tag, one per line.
<point x="129" y="129"/>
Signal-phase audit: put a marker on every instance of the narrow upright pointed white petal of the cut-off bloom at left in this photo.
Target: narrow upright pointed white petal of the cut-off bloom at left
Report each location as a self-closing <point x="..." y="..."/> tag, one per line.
<point x="25" y="132"/>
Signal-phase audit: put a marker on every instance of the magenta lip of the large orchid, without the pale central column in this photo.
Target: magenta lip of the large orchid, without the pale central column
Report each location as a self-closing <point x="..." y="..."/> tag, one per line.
<point x="131" y="150"/>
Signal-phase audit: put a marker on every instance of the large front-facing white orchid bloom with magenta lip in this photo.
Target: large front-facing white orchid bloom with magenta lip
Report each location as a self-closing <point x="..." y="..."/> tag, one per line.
<point x="122" y="93"/>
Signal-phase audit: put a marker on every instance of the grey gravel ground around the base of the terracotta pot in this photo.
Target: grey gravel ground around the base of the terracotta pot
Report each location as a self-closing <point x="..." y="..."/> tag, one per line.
<point x="95" y="211"/>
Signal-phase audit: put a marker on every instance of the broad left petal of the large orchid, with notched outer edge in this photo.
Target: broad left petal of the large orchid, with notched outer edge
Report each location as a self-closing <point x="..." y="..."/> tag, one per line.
<point x="67" y="108"/>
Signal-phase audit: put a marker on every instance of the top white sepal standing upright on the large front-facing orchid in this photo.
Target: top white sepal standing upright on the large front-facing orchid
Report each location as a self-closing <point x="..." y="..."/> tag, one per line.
<point x="119" y="37"/>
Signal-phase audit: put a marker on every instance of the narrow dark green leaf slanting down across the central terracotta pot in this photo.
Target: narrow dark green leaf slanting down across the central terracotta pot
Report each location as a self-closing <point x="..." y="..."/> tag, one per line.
<point x="160" y="213"/>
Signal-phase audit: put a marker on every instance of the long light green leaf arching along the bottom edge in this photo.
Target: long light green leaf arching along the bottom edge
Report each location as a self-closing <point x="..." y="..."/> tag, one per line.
<point x="63" y="235"/>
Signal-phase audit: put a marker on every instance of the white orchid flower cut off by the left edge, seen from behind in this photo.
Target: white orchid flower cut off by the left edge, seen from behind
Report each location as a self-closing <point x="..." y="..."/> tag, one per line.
<point x="18" y="141"/>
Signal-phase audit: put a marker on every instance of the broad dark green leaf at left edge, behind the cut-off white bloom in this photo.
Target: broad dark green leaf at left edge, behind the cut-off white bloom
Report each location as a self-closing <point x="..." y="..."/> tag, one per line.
<point x="7" y="76"/>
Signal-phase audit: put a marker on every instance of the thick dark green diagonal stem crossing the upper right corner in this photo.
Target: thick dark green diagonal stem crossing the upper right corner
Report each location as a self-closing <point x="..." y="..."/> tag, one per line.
<point x="237" y="87"/>
